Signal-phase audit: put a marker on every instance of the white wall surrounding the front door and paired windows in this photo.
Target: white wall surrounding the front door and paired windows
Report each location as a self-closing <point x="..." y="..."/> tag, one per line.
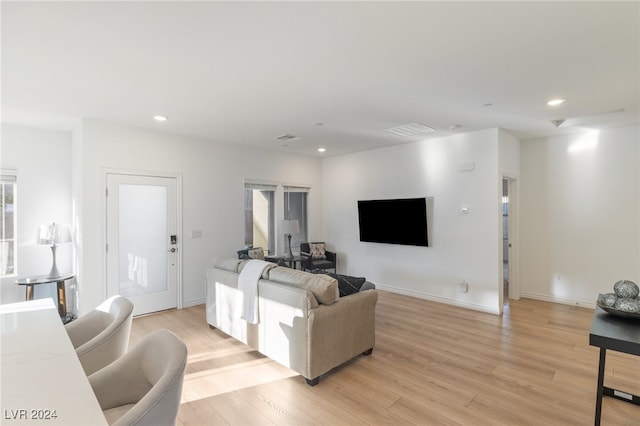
<point x="213" y="197"/>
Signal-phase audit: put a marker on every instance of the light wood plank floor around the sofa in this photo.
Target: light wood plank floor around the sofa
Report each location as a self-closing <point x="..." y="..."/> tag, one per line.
<point x="432" y="364"/>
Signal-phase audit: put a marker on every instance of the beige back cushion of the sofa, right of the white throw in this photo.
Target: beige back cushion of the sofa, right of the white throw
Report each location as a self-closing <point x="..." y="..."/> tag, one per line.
<point x="323" y="287"/>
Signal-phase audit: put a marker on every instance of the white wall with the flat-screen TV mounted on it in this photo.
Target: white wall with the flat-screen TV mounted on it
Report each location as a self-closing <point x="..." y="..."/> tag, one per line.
<point x="462" y="246"/>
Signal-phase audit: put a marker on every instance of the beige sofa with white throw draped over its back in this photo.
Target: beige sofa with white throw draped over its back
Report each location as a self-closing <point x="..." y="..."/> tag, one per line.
<point x="302" y="323"/>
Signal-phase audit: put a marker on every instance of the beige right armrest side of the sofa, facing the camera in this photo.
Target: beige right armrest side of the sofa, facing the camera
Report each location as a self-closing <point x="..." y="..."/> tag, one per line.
<point x="340" y="331"/>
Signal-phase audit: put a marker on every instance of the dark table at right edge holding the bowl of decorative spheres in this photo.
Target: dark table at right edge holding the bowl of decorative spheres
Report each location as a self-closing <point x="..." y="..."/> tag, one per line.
<point x="618" y="334"/>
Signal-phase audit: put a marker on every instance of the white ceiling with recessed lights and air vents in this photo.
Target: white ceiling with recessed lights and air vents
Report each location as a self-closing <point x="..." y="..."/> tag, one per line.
<point x="248" y="72"/>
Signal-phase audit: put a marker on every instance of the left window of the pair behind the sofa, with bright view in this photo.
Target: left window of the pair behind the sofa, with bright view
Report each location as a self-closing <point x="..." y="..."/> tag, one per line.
<point x="259" y="217"/>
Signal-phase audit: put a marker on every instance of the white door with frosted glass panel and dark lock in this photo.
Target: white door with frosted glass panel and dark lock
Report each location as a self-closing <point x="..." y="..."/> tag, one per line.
<point x="142" y="240"/>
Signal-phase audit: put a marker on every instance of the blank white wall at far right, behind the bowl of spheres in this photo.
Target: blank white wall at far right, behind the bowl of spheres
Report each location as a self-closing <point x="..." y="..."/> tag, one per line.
<point x="580" y="215"/>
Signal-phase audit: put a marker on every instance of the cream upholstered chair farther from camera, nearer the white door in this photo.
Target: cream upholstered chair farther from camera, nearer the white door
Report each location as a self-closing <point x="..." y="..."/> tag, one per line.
<point x="102" y="336"/>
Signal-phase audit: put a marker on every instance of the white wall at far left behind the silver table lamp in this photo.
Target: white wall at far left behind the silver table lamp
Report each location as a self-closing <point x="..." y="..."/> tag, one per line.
<point x="43" y="161"/>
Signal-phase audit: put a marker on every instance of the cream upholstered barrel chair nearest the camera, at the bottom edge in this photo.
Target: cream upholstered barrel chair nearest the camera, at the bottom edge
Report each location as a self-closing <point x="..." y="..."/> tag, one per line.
<point x="144" y="387"/>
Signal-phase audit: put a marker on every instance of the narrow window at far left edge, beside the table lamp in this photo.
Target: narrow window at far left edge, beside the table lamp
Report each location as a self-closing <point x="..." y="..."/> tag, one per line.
<point x="8" y="224"/>
